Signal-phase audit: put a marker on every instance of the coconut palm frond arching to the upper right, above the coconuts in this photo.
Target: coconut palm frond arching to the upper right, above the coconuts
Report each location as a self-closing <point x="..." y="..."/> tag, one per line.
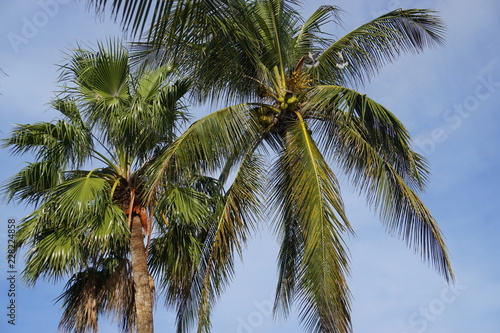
<point x="366" y="49"/>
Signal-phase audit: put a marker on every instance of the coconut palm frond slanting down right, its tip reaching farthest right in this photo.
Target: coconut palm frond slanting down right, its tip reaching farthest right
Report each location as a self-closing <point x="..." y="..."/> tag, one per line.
<point x="400" y="208"/>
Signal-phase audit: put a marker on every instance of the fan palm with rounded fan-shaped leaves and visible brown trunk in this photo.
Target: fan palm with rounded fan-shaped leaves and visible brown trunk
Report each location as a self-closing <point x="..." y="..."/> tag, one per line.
<point x="90" y="225"/>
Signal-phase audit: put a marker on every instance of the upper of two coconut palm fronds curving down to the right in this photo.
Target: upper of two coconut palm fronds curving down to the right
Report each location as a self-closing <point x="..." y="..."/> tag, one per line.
<point x="330" y="105"/>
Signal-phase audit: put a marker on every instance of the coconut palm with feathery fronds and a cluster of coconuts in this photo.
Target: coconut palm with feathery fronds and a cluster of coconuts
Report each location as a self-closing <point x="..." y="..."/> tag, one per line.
<point x="292" y="85"/>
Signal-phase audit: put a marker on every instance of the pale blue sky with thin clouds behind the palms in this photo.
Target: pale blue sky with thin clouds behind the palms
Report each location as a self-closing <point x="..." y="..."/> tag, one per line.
<point x="447" y="97"/>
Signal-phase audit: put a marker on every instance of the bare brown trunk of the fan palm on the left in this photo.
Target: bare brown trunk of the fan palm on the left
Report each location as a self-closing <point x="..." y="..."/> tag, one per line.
<point x="143" y="295"/>
